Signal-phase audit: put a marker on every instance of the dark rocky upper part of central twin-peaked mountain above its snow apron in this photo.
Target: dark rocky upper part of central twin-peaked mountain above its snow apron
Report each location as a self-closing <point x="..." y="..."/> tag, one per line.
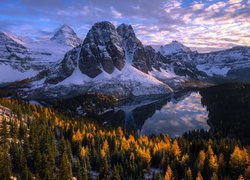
<point x="107" y="49"/>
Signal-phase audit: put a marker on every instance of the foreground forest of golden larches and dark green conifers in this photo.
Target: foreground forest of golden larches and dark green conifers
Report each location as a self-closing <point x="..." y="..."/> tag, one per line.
<point x="48" y="145"/>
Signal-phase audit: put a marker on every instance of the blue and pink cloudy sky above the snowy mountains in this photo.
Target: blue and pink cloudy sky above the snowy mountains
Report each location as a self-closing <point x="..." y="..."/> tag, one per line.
<point x="203" y="25"/>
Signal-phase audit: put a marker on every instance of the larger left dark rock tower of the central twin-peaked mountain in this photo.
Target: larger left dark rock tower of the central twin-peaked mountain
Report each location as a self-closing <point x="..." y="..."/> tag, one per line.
<point x="101" y="50"/>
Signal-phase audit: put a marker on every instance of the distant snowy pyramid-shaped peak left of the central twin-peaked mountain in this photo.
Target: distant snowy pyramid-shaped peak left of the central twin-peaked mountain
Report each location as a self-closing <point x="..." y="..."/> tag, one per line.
<point x="65" y="35"/>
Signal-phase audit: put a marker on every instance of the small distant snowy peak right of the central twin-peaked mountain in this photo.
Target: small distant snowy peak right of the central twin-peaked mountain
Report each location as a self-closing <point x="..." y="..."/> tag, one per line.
<point x="173" y="48"/>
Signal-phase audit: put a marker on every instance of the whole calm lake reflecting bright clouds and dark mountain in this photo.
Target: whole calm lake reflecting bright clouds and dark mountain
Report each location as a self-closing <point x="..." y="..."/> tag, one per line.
<point x="172" y="115"/>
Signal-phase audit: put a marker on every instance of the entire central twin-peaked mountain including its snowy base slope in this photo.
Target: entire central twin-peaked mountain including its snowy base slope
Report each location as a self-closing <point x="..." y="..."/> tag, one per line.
<point x="100" y="65"/>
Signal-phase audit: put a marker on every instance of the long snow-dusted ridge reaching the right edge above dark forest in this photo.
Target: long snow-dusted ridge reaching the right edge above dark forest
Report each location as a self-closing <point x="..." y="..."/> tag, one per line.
<point x="226" y="65"/>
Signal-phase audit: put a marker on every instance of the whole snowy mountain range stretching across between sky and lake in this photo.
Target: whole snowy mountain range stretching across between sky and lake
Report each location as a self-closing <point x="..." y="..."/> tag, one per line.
<point x="113" y="61"/>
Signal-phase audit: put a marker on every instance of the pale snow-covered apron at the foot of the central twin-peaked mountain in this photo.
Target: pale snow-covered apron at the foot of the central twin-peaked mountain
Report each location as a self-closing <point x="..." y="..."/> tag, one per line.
<point x="127" y="81"/>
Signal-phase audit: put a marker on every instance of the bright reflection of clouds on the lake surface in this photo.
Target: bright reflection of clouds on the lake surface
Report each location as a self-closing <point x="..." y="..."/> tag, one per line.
<point x="177" y="117"/>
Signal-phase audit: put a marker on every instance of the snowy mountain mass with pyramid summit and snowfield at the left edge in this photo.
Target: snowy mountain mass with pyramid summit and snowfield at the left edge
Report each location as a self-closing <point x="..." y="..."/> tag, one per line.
<point x="20" y="59"/>
